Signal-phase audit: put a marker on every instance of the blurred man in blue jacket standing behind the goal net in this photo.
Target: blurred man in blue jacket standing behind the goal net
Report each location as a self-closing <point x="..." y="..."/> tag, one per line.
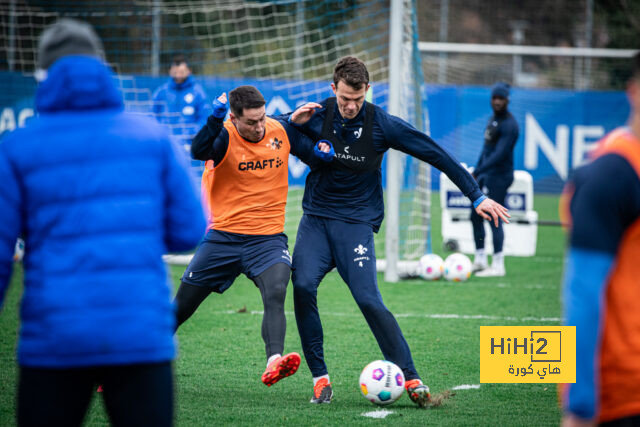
<point x="181" y="103"/>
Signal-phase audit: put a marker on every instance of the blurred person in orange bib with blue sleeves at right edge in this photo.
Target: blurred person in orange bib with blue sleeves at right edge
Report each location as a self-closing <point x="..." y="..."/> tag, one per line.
<point x="601" y="283"/>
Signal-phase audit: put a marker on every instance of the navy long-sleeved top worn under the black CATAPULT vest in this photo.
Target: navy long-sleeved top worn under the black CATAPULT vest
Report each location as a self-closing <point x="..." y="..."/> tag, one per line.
<point x="358" y="197"/>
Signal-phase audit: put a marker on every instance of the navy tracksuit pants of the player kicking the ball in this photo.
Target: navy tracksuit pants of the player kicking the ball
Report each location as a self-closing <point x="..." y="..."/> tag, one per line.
<point x="321" y="245"/>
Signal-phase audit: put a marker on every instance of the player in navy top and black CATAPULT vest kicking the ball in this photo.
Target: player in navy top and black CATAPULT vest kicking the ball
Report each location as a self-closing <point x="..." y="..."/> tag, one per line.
<point x="343" y="207"/>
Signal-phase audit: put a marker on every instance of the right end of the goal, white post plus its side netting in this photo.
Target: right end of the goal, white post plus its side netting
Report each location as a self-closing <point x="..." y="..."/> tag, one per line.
<point x="408" y="216"/>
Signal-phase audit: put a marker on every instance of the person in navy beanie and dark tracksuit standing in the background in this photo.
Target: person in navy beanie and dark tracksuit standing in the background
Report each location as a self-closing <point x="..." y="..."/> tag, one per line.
<point x="494" y="173"/>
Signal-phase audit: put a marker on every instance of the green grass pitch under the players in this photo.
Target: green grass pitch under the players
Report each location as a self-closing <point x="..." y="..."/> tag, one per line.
<point x="222" y="354"/>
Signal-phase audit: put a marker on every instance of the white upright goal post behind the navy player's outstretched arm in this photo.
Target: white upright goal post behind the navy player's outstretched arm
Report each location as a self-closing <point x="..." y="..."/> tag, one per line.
<point x="394" y="164"/>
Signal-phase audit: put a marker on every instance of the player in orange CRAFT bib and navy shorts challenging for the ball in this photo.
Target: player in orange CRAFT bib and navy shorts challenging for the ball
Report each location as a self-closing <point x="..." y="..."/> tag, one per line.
<point x="245" y="184"/>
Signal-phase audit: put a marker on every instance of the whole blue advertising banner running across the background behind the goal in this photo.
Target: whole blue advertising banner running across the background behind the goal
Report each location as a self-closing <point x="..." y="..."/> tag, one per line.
<point x="558" y="128"/>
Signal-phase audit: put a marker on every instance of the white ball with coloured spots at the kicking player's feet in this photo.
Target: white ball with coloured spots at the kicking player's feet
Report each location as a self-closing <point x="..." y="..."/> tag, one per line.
<point x="382" y="382"/>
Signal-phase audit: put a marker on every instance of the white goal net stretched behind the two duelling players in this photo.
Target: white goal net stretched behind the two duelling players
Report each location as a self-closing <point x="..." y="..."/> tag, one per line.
<point x="285" y="48"/>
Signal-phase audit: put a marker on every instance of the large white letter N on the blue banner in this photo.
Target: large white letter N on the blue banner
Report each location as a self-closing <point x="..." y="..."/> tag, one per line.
<point x="535" y="137"/>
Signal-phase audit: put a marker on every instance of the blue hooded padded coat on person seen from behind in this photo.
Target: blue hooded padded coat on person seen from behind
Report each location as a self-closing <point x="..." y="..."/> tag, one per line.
<point x="99" y="196"/>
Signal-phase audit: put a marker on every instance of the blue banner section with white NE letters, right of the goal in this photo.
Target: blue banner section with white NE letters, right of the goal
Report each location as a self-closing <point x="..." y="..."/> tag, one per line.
<point x="558" y="128"/>
